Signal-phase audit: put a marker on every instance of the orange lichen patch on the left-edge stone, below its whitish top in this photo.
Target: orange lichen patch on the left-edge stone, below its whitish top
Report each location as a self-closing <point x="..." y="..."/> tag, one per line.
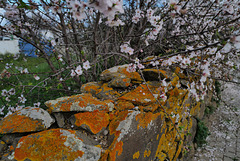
<point x="20" y="123"/>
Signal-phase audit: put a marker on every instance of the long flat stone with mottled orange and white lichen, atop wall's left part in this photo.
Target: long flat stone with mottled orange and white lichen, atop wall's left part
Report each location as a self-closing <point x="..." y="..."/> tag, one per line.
<point x="81" y="102"/>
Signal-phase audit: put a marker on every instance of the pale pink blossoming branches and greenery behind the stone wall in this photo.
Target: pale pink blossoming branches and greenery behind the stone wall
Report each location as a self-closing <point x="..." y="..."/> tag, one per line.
<point x="75" y="40"/>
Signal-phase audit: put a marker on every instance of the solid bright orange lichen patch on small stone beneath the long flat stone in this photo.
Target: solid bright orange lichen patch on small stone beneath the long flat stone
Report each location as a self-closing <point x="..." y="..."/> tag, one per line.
<point x="96" y="120"/>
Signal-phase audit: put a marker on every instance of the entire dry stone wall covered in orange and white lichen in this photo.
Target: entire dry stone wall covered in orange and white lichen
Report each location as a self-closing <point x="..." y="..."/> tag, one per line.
<point x="120" y="118"/>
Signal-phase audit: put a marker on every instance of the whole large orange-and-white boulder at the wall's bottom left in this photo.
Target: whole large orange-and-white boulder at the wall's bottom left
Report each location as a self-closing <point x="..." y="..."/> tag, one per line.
<point x="54" y="144"/>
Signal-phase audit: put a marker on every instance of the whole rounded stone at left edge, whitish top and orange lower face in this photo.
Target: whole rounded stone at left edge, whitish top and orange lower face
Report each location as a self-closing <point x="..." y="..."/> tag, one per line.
<point x="28" y="119"/>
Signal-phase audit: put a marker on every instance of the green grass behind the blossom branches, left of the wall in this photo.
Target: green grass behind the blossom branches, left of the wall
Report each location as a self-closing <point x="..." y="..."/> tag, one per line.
<point x="46" y="90"/>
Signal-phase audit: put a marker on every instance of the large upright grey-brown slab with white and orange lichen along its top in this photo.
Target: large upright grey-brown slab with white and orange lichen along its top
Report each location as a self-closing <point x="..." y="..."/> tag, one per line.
<point x="141" y="131"/>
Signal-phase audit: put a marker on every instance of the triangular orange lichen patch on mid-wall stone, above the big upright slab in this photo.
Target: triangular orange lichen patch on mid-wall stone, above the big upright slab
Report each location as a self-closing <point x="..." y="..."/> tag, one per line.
<point x="141" y="96"/>
